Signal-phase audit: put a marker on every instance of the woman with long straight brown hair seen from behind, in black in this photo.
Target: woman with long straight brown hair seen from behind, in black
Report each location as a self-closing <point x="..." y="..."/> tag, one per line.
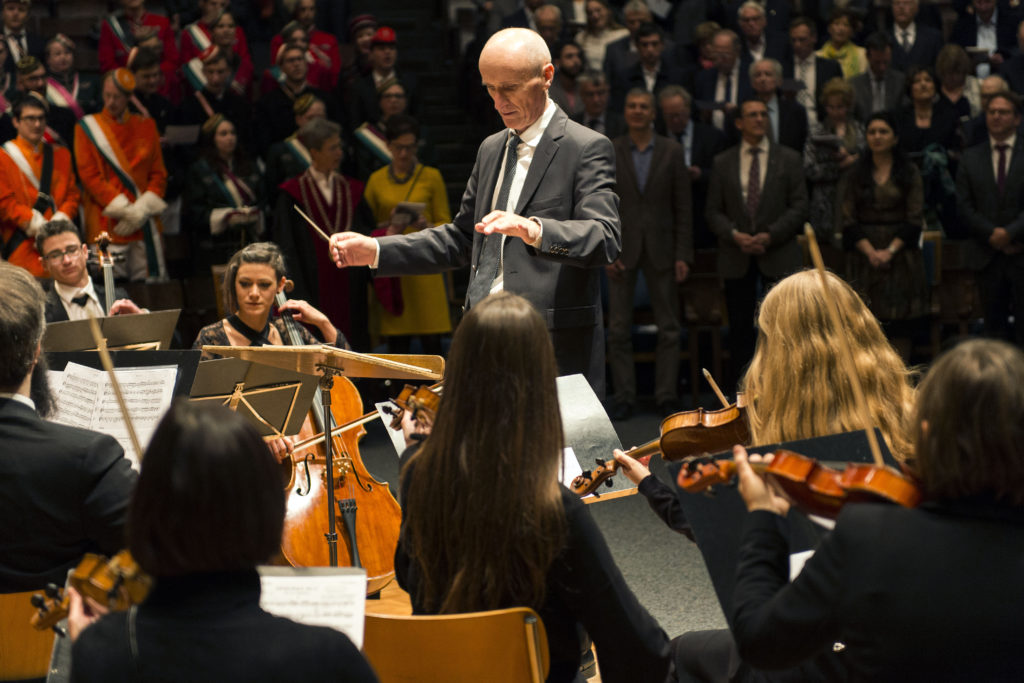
<point x="554" y="561"/>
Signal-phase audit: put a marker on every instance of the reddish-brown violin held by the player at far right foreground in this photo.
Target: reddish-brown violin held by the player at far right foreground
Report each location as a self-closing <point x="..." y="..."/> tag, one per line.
<point x="814" y="488"/>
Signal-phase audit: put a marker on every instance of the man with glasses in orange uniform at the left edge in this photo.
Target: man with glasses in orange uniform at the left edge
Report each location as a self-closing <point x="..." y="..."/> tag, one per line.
<point x="36" y="185"/>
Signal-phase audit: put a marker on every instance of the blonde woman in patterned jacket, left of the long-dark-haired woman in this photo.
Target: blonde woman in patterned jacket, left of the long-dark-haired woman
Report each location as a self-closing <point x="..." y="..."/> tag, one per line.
<point x="834" y="146"/>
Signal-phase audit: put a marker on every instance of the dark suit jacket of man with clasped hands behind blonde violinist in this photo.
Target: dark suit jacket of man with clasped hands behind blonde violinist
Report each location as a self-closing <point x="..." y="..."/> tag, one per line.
<point x="782" y="212"/>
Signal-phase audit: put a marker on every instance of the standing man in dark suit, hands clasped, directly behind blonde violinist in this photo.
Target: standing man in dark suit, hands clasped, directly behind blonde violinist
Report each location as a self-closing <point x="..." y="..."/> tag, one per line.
<point x="757" y="204"/>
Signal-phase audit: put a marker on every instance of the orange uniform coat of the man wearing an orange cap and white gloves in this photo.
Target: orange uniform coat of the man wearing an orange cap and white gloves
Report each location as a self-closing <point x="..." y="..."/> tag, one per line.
<point x="139" y="141"/>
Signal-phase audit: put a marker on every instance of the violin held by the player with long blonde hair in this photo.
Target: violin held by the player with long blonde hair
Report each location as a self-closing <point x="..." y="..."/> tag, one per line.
<point x="682" y="436"/>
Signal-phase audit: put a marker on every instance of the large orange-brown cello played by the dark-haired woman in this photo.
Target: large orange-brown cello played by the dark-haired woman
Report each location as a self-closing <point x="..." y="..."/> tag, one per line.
<point x="369" y="515"/>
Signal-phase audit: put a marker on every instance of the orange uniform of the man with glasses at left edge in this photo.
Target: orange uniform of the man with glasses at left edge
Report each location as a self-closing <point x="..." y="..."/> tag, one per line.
<point x="18" y="196"/>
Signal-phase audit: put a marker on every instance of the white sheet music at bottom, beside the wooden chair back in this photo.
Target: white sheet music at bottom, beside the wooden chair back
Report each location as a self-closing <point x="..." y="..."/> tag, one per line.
<point x="334" y="597"/>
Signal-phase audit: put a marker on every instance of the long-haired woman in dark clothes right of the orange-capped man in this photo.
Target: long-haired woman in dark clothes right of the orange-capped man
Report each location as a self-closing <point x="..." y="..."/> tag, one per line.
<point x="225" y="198"/>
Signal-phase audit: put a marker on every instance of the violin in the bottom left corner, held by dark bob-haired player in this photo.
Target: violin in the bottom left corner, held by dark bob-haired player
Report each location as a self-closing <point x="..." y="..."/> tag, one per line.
<point x="117" y="584"/>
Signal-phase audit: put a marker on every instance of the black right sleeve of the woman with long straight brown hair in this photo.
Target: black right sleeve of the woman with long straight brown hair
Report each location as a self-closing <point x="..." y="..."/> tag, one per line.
<point x="631" y="646"/>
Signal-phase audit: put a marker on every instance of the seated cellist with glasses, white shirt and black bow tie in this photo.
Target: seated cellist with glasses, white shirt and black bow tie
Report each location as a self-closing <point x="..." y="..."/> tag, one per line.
<point x="74" y="294"/>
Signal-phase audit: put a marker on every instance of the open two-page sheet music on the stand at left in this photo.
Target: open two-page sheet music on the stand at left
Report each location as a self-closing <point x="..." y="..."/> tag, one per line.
<point x="87" y="400"/>
